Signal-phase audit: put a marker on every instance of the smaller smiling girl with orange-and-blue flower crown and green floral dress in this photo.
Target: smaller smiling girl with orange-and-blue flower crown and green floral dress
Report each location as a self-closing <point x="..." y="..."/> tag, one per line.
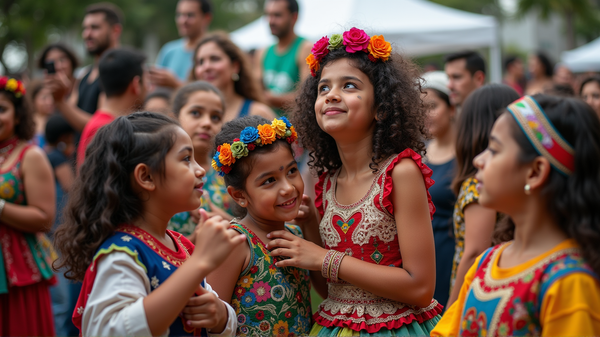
<point x="256" y="159"/>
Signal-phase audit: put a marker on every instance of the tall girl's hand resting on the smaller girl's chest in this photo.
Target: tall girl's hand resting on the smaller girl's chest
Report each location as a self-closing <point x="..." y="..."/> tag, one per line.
<point x="302" y="254"/>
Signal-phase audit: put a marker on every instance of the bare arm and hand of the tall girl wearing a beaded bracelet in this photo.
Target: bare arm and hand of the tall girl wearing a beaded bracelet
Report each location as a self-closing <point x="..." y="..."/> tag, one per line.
<point x="414" y="283"/>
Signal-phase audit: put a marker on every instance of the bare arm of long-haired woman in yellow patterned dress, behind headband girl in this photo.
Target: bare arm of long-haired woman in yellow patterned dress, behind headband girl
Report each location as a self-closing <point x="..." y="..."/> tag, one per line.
<point x="479" y="226"/>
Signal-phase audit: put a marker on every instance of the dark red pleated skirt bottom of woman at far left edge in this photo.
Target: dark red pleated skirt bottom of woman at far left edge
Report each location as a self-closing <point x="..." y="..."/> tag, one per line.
<point x="27" y="311"/>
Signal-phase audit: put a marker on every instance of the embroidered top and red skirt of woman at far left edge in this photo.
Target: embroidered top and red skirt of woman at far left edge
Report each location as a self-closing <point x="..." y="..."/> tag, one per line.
<point x="25" y="268"/>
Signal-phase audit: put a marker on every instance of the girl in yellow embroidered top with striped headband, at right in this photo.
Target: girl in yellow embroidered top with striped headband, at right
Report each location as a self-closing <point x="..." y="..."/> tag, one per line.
<point x="539" y="169"/>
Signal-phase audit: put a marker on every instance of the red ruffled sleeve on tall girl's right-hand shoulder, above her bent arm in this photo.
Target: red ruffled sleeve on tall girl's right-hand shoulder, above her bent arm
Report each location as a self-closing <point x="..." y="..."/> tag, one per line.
<point x="389" y="184"/>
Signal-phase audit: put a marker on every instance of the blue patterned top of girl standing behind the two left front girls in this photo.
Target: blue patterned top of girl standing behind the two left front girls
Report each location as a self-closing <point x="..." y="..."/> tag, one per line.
<point x="217" y="192"/>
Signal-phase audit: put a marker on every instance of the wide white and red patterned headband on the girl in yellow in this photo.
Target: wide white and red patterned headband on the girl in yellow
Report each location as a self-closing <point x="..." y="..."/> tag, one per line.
<point x="543" y="135"/>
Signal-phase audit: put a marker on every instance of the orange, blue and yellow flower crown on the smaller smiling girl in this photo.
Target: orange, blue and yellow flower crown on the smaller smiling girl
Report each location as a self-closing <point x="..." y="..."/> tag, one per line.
<point x="250" y="138"/>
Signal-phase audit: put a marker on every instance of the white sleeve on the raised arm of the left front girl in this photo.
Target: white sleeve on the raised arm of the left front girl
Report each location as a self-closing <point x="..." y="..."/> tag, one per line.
<point x="115" y="306"/>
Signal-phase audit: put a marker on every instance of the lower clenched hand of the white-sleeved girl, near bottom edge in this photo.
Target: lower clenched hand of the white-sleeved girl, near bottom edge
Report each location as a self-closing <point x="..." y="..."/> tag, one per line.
<point x="206" y="311"/>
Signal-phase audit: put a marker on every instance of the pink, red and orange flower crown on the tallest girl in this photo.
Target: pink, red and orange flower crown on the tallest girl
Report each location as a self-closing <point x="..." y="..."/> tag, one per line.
<point x="355" y="40"/>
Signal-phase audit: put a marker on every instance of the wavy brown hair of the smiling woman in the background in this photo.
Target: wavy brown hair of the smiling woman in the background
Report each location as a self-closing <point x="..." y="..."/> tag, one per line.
<point x="246" y="86"/>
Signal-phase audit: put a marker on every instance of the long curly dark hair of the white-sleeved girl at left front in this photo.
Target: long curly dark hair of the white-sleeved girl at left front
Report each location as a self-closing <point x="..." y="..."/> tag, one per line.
<point x="102" y="197"/>
